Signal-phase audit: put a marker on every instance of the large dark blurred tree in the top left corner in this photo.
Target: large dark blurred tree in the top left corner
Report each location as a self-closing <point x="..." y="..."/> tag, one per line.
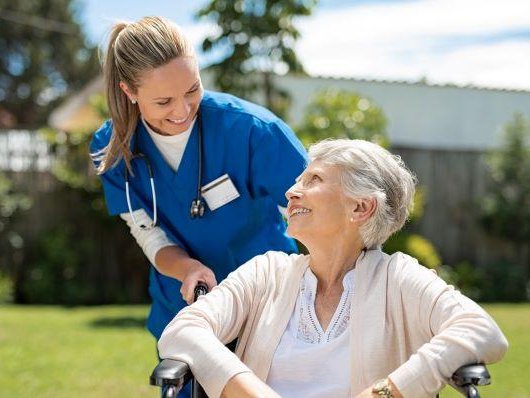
<point x="43" y="57"/>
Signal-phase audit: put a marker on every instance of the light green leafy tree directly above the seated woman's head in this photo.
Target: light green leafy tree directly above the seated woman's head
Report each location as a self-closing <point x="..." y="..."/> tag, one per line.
<point x="343" y="114"/>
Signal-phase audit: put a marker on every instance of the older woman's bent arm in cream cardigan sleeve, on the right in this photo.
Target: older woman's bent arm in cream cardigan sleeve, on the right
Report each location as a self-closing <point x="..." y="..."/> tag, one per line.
<point x="461" y="332"/>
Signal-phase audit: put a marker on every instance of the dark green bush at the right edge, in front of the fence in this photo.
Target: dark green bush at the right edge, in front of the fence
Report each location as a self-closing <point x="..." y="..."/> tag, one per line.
<point x="506" y="209"/>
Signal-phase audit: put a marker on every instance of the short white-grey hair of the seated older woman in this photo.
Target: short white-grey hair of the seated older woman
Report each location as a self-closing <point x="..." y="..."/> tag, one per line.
<point x="370" y="171"/>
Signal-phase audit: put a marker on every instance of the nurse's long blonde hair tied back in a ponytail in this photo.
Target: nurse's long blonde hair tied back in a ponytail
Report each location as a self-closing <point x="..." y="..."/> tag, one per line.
<point x="133" y="49"/>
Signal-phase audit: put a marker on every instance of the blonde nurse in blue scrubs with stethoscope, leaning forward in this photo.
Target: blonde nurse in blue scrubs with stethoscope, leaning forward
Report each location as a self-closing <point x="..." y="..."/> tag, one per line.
<point x="198" y="176"/>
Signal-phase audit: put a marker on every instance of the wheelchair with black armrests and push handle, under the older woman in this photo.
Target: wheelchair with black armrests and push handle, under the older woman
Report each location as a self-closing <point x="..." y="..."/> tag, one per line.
<point x="172" y="375"/>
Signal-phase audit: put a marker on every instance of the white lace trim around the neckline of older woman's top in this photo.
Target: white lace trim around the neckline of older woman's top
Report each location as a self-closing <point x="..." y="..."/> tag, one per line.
<point x="309" y="329"/>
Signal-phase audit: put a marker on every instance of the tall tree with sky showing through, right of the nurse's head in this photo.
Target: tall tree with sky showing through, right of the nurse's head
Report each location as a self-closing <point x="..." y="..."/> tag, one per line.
<point x="258" y="38"/>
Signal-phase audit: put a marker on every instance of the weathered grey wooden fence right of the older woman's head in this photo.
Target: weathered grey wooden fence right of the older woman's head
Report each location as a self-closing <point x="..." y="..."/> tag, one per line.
<point x="455" y="182"/>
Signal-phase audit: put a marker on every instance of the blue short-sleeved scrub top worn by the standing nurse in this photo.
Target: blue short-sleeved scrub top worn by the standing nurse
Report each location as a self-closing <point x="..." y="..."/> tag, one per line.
<point x="261" y="155"/>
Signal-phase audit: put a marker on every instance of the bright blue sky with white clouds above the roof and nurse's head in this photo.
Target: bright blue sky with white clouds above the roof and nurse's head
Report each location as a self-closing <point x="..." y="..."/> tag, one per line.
<point x="484" y="43"/>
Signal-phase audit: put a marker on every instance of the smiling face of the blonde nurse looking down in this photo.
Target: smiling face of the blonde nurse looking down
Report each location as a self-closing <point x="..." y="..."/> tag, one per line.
<point x="169" y="96"/>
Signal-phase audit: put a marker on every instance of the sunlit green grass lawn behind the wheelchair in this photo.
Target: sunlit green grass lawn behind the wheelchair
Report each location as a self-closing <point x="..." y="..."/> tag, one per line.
<point x="106" y="352"/>
